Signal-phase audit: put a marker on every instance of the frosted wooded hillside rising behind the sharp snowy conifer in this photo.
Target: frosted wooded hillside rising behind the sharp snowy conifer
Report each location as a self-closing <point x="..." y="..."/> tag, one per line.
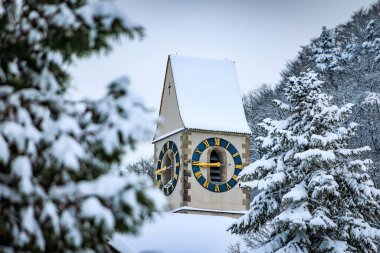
<point x="347" y="59"/>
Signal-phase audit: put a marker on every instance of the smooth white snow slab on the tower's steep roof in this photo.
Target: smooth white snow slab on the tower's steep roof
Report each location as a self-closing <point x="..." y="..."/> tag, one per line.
<point x="208" y="94"/>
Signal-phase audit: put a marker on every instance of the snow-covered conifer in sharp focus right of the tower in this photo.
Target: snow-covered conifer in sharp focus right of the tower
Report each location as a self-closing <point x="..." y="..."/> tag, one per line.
<point x="315" y="195"/>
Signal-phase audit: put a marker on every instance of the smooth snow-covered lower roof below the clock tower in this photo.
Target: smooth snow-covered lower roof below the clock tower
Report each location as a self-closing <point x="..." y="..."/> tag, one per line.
<point x="176" y="232"/>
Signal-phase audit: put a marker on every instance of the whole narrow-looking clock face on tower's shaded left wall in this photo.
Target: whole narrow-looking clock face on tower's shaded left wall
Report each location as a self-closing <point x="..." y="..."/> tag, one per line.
<point x="167" y="170"/>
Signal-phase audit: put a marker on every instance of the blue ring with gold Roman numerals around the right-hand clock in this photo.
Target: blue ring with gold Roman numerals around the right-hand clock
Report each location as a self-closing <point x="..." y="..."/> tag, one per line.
<point x="216" y="142"/>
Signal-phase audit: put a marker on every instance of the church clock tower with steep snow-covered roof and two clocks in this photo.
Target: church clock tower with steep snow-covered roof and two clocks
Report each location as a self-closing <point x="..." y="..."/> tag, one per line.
<point x="201" y="143"/>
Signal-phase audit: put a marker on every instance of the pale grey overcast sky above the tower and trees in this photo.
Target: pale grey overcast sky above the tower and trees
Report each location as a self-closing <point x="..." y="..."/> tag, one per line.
<point x="261" y="36"/>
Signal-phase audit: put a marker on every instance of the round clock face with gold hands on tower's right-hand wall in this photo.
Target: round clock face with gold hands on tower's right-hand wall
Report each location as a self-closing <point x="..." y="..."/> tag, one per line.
<point x="213" y="174"/>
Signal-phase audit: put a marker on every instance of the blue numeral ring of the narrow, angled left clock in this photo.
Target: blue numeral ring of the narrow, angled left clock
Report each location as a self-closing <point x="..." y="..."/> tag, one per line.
<point x="167" y="190"/>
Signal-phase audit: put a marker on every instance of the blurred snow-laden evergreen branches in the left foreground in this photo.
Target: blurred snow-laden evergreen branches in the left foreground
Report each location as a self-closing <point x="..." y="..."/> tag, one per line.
<point x="57" y="193"/>
